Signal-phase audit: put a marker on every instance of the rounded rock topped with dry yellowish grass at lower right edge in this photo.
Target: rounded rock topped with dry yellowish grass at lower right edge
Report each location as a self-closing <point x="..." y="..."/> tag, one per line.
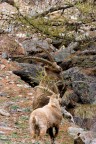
<point x="85" y="116"/>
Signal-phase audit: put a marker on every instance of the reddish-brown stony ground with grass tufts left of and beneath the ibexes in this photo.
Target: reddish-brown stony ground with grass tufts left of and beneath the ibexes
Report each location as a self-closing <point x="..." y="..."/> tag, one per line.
<point x="15" y="108"/>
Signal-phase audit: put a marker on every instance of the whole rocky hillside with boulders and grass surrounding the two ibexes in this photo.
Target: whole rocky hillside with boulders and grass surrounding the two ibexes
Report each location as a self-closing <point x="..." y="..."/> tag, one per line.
<point x="72" y="44"/>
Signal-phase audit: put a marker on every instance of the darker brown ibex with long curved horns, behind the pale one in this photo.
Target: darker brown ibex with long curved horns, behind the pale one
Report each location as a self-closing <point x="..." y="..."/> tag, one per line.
<point x="50" y="80"/>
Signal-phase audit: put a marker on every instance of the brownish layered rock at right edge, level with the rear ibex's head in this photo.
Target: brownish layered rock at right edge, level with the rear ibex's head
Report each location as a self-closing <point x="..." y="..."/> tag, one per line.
<point x="79" y="60"/>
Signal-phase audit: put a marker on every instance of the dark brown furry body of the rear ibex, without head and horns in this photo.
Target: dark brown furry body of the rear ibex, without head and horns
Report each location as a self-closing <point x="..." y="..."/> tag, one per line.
<point x="49" y="81"/>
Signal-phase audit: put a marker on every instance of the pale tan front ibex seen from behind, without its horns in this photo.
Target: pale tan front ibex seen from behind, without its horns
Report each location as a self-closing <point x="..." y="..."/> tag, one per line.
<point x="43" y="119"/>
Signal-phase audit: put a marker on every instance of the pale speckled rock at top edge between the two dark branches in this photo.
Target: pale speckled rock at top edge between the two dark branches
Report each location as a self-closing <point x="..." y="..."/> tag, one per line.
<point x="35" y="7"/>
